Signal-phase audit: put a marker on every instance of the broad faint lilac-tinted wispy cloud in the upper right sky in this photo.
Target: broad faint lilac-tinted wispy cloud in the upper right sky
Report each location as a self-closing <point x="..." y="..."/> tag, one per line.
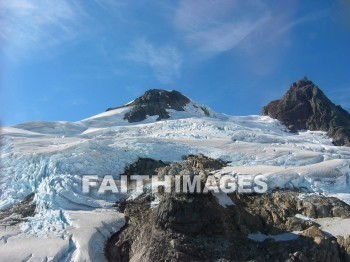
<point x="257" y="33"/>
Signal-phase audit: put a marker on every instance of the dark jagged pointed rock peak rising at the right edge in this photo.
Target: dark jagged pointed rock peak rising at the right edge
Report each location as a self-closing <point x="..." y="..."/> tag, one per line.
<point x="305" y="106"/>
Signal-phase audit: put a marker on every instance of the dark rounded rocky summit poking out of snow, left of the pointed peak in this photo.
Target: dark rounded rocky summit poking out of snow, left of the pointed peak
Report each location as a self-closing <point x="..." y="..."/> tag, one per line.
<point x="157" y="102"/>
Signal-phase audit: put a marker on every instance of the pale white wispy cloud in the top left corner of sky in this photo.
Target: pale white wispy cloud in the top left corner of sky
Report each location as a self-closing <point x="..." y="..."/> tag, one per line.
<point x="31" y="26"/>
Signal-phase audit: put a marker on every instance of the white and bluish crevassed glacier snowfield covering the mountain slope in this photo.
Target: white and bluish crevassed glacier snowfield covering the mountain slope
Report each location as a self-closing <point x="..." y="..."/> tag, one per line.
<point x="49" y="159"/>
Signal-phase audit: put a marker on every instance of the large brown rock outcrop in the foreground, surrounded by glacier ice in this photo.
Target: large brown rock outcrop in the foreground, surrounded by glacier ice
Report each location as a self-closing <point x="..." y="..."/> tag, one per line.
<point x="195" y="227"/>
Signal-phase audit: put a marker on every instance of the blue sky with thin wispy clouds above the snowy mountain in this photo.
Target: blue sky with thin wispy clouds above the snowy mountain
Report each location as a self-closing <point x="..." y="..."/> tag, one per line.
<point x="68" y="60"/>
